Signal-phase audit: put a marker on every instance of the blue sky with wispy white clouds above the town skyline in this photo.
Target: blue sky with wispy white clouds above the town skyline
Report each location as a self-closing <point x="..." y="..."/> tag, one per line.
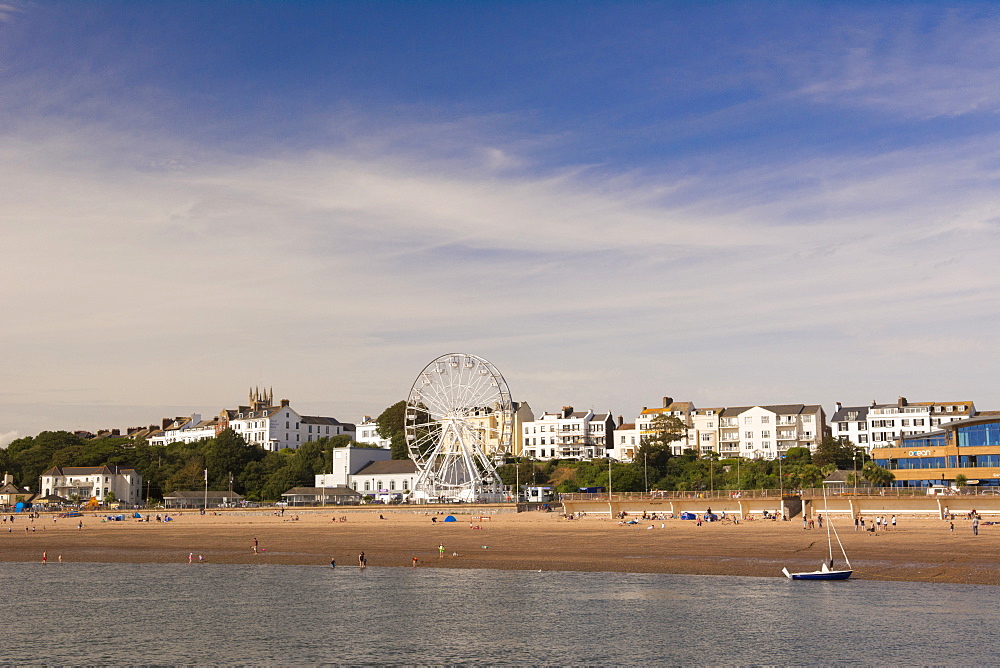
<point x="727" y="203"/>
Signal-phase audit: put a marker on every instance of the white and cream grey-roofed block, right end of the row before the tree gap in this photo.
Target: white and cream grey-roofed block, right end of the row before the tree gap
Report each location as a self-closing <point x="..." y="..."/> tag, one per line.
<point x="766" y="432"/>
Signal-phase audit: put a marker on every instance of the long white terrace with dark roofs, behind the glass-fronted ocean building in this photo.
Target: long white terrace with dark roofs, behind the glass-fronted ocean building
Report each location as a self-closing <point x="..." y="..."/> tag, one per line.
<point x="881" y="425"/>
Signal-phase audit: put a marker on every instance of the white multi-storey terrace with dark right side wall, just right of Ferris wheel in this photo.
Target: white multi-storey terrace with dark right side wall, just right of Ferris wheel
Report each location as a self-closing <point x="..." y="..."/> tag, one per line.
<point x="569" y="435"/>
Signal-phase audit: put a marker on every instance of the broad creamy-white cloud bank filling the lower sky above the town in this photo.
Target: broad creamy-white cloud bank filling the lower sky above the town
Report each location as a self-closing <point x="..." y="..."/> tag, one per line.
<point x="148" y="272"/>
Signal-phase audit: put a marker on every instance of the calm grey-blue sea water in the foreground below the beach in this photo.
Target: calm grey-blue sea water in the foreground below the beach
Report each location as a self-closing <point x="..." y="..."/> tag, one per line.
<point x="208" y="614"/>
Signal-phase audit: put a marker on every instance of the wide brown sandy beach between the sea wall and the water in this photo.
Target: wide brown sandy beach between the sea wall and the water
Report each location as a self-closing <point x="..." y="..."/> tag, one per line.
<point x="923" y="550"/>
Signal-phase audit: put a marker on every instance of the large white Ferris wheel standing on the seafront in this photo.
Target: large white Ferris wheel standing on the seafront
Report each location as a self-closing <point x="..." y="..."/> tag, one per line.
<point x="459" y="425"/>
